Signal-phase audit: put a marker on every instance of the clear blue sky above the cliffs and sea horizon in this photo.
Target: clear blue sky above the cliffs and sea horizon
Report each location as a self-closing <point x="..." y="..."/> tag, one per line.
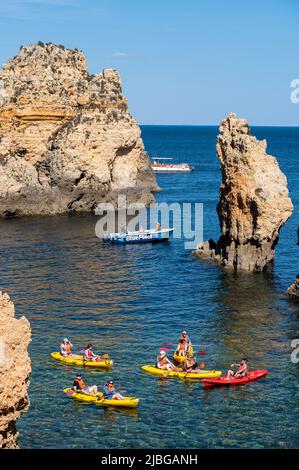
<point x="181" y="62"/>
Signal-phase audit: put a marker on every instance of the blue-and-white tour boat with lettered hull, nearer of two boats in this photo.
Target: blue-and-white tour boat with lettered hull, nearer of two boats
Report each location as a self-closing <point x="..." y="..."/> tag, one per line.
<point x="142" y="236"/>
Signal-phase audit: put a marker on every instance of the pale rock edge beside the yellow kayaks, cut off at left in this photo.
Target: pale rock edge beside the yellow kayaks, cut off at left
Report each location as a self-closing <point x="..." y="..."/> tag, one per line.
<point x="15" y="370"/>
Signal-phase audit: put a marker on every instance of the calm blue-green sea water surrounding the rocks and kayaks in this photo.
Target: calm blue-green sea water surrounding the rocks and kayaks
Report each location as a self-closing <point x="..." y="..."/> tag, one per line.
<point x="129" y="300"/>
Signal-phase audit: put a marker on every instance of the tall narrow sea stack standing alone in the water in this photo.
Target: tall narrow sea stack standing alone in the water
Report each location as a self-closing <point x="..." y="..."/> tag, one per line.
<point x="254" y="200"/>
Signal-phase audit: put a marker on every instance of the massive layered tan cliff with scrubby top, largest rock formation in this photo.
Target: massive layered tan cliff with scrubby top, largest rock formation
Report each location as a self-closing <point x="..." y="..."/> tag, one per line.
<point x="67" y="140"/>
